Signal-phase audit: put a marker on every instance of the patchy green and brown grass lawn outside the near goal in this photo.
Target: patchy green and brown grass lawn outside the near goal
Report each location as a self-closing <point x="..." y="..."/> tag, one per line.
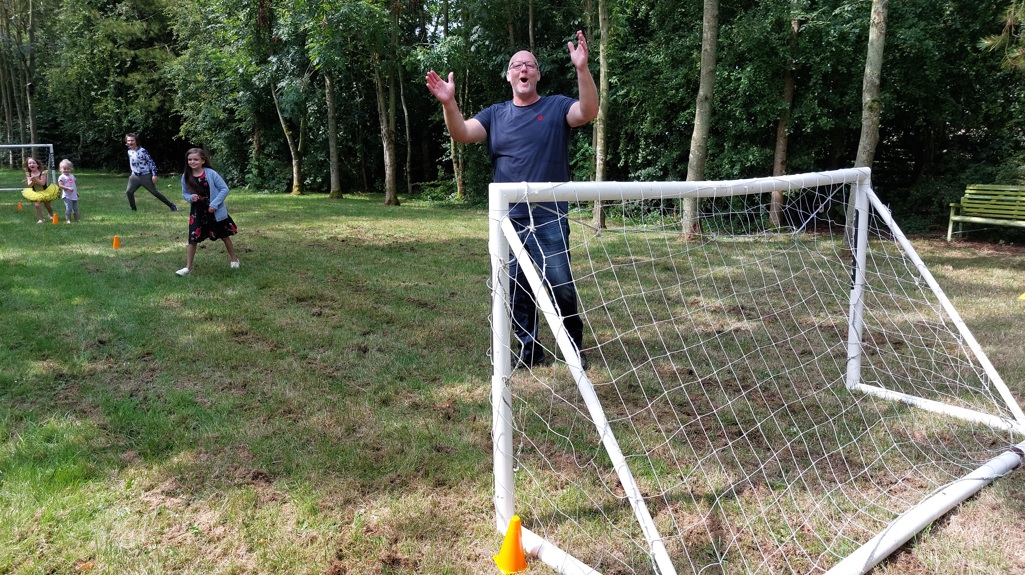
<point x="322" y="410"/>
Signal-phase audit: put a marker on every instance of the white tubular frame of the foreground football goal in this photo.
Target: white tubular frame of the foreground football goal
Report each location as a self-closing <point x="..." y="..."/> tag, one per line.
<point x="505" y="244"/>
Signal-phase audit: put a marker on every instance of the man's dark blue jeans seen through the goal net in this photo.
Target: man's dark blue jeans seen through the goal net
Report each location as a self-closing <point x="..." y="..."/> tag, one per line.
<point x="548" y="247"/>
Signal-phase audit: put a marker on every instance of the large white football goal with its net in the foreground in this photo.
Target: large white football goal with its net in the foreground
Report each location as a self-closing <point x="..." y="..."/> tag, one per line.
<point x="777" y="393"/>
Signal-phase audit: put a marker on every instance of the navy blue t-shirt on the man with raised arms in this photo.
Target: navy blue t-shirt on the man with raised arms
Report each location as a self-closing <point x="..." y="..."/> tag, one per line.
<point x="530" y="144"/>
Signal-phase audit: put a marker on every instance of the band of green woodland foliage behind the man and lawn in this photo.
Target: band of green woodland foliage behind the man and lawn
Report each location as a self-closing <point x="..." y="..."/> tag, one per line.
<point x="189" y="73"/>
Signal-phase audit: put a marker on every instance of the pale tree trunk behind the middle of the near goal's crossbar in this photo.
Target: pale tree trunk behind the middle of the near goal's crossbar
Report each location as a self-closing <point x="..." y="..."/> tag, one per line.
<point x="691" y="223"/>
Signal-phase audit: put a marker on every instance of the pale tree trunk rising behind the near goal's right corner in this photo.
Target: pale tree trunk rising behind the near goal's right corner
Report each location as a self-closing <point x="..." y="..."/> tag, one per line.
<point x="872" y="104"/>
